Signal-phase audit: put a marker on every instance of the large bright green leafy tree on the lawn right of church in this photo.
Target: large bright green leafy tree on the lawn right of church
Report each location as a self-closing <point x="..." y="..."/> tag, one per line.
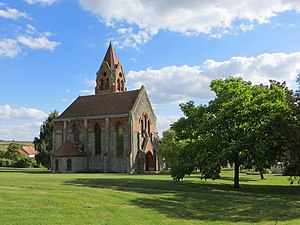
<point x="244" y="124"/>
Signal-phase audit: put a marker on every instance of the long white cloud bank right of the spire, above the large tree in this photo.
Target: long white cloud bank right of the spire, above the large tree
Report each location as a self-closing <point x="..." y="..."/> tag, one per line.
<point x="176" y="84"/>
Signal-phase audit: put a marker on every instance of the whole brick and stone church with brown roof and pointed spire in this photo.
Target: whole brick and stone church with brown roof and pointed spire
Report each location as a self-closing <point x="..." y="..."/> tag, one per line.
<point x="113" y="130"/>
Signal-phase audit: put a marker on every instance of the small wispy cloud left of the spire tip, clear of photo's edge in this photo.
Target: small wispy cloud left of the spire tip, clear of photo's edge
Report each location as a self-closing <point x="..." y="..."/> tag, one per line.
<point x="38" y="43"/>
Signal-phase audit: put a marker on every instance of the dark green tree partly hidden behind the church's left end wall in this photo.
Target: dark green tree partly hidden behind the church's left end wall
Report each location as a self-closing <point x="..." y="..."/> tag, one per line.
<point x="44" y="143"/>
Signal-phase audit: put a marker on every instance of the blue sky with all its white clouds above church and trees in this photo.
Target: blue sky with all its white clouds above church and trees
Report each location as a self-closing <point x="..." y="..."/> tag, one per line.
<point x="50" y="51"/>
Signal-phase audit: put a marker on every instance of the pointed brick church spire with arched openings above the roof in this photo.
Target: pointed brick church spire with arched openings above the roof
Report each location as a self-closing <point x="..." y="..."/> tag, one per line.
<point x="110" y="76"/>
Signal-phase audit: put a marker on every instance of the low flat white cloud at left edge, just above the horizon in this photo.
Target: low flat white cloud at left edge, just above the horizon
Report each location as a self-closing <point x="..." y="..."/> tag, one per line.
<point x="9" y="113"/>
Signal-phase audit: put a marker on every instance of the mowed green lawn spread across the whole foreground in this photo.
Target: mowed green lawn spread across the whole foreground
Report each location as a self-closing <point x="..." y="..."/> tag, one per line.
<point x="35" y="196"/>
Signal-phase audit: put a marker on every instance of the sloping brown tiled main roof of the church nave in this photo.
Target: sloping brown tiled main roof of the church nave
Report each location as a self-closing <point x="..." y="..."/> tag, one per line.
<point x="103" y="104"/>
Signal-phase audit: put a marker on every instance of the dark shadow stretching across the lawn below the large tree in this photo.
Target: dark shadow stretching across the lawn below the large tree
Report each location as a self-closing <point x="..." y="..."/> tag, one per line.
<point x="208" y="202"/>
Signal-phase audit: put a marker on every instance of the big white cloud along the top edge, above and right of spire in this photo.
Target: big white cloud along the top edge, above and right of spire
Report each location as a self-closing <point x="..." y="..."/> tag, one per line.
<point x="212" y="18"/>
